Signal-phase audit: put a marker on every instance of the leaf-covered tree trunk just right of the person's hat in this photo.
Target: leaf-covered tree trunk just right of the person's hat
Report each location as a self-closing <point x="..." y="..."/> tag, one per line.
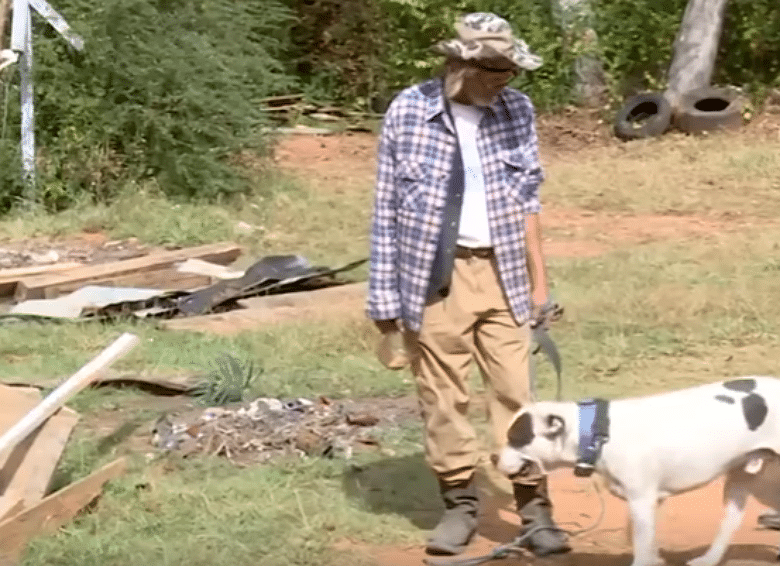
<point x="575" y="17"/>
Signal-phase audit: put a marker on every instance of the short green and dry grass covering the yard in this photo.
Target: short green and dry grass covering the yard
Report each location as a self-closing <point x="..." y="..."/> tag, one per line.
<point x="641" y="318"/>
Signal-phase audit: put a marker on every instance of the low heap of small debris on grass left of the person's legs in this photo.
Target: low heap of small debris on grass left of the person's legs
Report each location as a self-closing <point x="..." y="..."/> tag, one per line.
<point x="268" y="428"/>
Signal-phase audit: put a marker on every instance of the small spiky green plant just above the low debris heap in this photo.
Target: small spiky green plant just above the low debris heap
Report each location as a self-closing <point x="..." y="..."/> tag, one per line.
<point x="226" y="381"/>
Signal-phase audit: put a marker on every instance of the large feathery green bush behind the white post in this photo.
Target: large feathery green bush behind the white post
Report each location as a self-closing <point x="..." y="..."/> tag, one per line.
<point x="164" y="88"/>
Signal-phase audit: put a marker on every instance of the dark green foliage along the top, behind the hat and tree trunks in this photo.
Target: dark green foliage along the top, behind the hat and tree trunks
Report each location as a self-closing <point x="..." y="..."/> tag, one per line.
<point x="635" y="46"/>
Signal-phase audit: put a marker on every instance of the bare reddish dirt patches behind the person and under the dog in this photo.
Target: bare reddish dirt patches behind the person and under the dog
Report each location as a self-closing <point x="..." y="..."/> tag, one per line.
<point x="687" y="523"/>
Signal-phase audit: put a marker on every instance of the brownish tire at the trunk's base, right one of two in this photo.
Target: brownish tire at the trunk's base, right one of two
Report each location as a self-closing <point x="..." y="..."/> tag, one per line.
<point x="708" y="109"/>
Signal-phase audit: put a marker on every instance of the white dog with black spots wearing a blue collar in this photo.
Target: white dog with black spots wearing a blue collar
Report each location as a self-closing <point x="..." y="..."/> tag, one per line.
<point x="666" y="444"/>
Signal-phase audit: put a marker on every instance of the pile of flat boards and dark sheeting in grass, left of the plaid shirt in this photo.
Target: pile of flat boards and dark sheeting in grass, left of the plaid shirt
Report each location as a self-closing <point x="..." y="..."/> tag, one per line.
<point x="161" y="284"/>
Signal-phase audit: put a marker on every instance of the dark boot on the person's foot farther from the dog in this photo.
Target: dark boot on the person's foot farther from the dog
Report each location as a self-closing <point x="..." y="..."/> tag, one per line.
<point x="459" y="522"/>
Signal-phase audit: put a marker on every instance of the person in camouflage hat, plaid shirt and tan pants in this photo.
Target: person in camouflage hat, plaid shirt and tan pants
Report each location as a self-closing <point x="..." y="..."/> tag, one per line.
<point x="456" y="260"/>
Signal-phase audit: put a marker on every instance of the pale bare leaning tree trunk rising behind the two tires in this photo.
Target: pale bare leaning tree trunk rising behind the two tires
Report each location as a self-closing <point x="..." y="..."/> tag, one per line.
<point x="695" y="48"/>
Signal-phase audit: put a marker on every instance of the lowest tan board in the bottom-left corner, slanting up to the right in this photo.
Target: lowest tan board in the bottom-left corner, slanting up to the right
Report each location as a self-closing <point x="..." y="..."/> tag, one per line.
<point x="54" y="511"/>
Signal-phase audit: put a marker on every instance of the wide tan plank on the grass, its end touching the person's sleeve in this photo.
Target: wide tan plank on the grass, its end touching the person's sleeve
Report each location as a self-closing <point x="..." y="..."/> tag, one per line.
<point x="323" y="306"/>
